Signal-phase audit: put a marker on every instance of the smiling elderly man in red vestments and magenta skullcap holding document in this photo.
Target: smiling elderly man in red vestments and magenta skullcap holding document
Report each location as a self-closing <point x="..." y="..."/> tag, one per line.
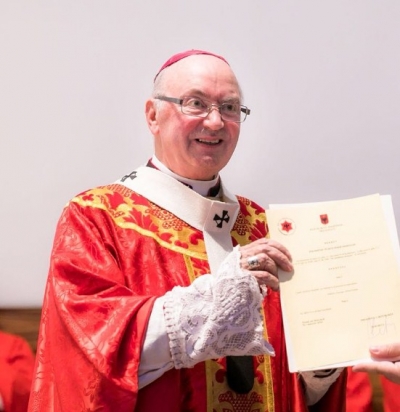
<point x="162" y="291"/>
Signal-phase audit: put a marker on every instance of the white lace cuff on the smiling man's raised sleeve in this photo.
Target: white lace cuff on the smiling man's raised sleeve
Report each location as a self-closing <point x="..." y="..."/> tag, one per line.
<point x="217" y="315"/>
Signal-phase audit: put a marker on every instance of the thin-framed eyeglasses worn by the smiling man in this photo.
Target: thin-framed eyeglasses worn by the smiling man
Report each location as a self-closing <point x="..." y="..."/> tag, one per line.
<point x="193" y="106"/>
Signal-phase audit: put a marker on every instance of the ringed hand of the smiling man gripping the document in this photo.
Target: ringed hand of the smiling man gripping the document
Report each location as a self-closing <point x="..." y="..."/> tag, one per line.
<point x="270" y="256"/>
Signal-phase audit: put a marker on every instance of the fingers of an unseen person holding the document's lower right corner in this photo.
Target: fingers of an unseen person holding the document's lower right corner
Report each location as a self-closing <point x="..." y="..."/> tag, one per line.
<point x="386" y="362"/>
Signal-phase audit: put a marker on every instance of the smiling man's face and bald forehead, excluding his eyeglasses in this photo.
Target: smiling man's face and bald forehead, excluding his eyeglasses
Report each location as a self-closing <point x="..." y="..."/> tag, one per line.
<point x="194" y="147"/>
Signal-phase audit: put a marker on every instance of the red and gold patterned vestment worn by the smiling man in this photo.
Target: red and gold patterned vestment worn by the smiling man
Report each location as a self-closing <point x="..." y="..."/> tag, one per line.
<point x="114" y="254"/>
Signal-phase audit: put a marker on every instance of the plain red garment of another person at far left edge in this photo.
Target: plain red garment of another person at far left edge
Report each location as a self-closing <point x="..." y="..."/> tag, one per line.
<point x="16" y="369"/>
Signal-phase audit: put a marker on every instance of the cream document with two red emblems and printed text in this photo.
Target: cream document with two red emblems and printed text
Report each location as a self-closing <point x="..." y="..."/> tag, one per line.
<point x="344" y="292"/>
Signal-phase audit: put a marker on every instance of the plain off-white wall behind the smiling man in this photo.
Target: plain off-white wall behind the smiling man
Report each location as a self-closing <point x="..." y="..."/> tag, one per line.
<point x="322" y="79"/>
